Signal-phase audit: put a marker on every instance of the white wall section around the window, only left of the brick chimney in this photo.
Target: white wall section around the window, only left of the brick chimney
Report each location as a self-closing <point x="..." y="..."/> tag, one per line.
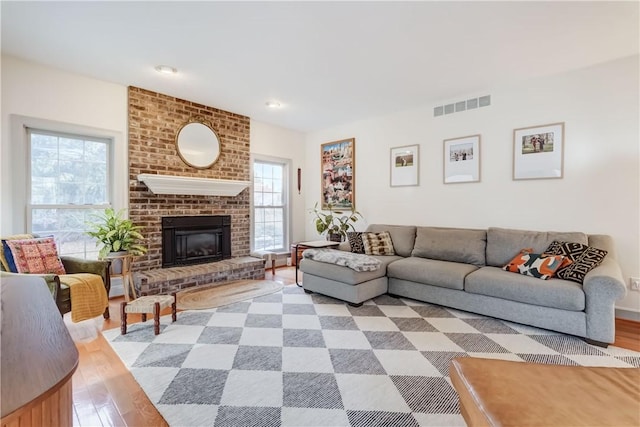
<point x="45" y="93"/>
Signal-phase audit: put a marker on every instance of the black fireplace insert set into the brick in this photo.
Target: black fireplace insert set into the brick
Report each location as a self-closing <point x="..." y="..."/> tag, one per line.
<point x="188" y="240"/>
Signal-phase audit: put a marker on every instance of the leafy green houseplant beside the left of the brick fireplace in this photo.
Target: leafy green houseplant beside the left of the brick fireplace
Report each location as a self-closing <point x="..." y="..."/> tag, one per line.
<point x="116" y="234"/>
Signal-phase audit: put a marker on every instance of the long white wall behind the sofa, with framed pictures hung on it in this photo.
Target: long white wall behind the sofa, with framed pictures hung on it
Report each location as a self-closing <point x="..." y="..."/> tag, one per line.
<point x="600" y="191"/>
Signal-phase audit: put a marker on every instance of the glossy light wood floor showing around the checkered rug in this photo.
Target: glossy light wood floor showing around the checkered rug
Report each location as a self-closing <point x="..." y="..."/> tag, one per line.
<point x="105" y="393"/>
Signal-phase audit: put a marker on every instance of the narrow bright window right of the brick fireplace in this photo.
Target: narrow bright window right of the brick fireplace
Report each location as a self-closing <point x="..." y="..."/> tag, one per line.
<point x="270" y="205"/>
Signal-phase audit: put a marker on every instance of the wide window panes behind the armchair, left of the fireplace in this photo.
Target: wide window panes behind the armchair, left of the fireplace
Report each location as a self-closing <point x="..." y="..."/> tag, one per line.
<point x="68" y="183"/>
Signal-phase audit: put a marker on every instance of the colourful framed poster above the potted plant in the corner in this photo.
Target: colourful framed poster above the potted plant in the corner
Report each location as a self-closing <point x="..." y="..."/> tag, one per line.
<point x="337" y="163"/>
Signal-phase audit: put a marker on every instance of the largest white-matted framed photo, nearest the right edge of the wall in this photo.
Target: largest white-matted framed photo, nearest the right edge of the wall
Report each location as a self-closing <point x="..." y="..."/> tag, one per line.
<point x="538" y="152"/>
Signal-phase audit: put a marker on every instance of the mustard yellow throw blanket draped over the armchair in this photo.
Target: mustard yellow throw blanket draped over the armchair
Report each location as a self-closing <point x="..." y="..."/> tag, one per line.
<point x="88" y="295"/>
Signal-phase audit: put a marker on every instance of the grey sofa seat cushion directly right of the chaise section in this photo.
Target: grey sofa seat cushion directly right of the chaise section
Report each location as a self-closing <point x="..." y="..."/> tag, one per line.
<point x="445" y="274"/>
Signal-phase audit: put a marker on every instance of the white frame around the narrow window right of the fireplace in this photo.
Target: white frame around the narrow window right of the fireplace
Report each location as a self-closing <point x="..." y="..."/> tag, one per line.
<point x="286" y="199"/>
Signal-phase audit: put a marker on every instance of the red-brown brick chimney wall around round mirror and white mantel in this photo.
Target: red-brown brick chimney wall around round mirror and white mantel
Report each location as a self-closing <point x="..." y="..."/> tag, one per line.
<point x="154" y="120"/>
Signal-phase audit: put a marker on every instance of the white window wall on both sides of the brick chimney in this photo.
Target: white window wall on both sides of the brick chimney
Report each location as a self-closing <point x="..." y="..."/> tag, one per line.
<point x="45" y="93"/>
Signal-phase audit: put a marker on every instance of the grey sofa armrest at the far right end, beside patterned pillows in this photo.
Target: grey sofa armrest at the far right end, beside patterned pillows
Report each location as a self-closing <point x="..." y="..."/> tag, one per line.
<point x="603" y="286"/>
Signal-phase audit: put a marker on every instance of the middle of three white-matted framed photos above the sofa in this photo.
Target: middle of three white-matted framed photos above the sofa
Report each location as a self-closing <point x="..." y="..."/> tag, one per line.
<point x="462" y="159"/>
